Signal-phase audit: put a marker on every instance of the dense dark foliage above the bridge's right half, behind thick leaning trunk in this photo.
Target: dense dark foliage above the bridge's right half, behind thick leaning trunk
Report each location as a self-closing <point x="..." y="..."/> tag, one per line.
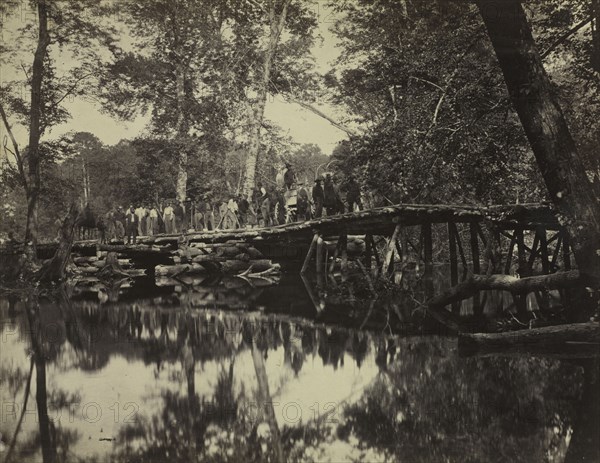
<point x="423" y="81"/>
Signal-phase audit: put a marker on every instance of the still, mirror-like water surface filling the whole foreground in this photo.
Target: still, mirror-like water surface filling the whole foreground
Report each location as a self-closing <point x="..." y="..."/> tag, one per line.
<point x="214" y="369"/>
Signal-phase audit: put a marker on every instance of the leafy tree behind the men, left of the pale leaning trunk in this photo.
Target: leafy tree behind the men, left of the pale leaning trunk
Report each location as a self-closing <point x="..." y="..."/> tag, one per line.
<point x="172" y="70"/>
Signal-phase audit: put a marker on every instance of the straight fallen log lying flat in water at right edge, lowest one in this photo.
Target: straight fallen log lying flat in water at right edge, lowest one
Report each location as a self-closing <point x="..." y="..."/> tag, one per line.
<point x="558" y="338"/>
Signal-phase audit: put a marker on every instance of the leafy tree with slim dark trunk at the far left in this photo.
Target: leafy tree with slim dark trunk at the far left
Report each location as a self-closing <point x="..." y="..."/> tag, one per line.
<point x="55" y="27"/>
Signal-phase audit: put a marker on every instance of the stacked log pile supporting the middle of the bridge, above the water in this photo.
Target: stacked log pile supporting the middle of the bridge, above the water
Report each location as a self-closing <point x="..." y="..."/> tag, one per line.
<point x="230" y="258"/>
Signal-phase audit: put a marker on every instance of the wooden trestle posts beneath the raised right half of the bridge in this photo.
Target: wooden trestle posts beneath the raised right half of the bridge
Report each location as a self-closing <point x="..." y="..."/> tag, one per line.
<point x="474" y="247"/>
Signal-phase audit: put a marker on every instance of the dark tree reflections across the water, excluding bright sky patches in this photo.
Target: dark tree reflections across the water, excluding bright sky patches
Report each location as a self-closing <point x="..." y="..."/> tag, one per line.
<point x="425" y="405"/>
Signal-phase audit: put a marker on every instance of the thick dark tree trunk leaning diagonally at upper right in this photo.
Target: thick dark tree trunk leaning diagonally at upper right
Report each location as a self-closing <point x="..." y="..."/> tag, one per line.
<point x="546" y="128"/>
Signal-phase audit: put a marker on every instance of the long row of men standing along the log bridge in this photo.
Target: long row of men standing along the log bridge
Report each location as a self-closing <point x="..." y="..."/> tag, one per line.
<point x="285" y="201"/>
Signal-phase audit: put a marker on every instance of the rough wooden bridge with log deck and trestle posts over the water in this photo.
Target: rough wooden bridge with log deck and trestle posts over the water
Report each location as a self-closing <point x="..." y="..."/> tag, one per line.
<point x="529" y="235"/>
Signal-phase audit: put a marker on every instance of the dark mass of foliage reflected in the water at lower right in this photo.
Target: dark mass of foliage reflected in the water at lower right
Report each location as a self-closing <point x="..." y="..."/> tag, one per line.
<point x="430" y="406"/>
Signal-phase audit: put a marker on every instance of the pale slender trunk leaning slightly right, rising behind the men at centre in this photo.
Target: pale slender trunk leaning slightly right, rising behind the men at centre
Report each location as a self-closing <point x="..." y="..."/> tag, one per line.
<point x="277" y="23"/>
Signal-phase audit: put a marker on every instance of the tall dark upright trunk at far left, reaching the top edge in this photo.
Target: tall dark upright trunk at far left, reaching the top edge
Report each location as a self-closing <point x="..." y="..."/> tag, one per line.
<point x="35" y="129"/>
